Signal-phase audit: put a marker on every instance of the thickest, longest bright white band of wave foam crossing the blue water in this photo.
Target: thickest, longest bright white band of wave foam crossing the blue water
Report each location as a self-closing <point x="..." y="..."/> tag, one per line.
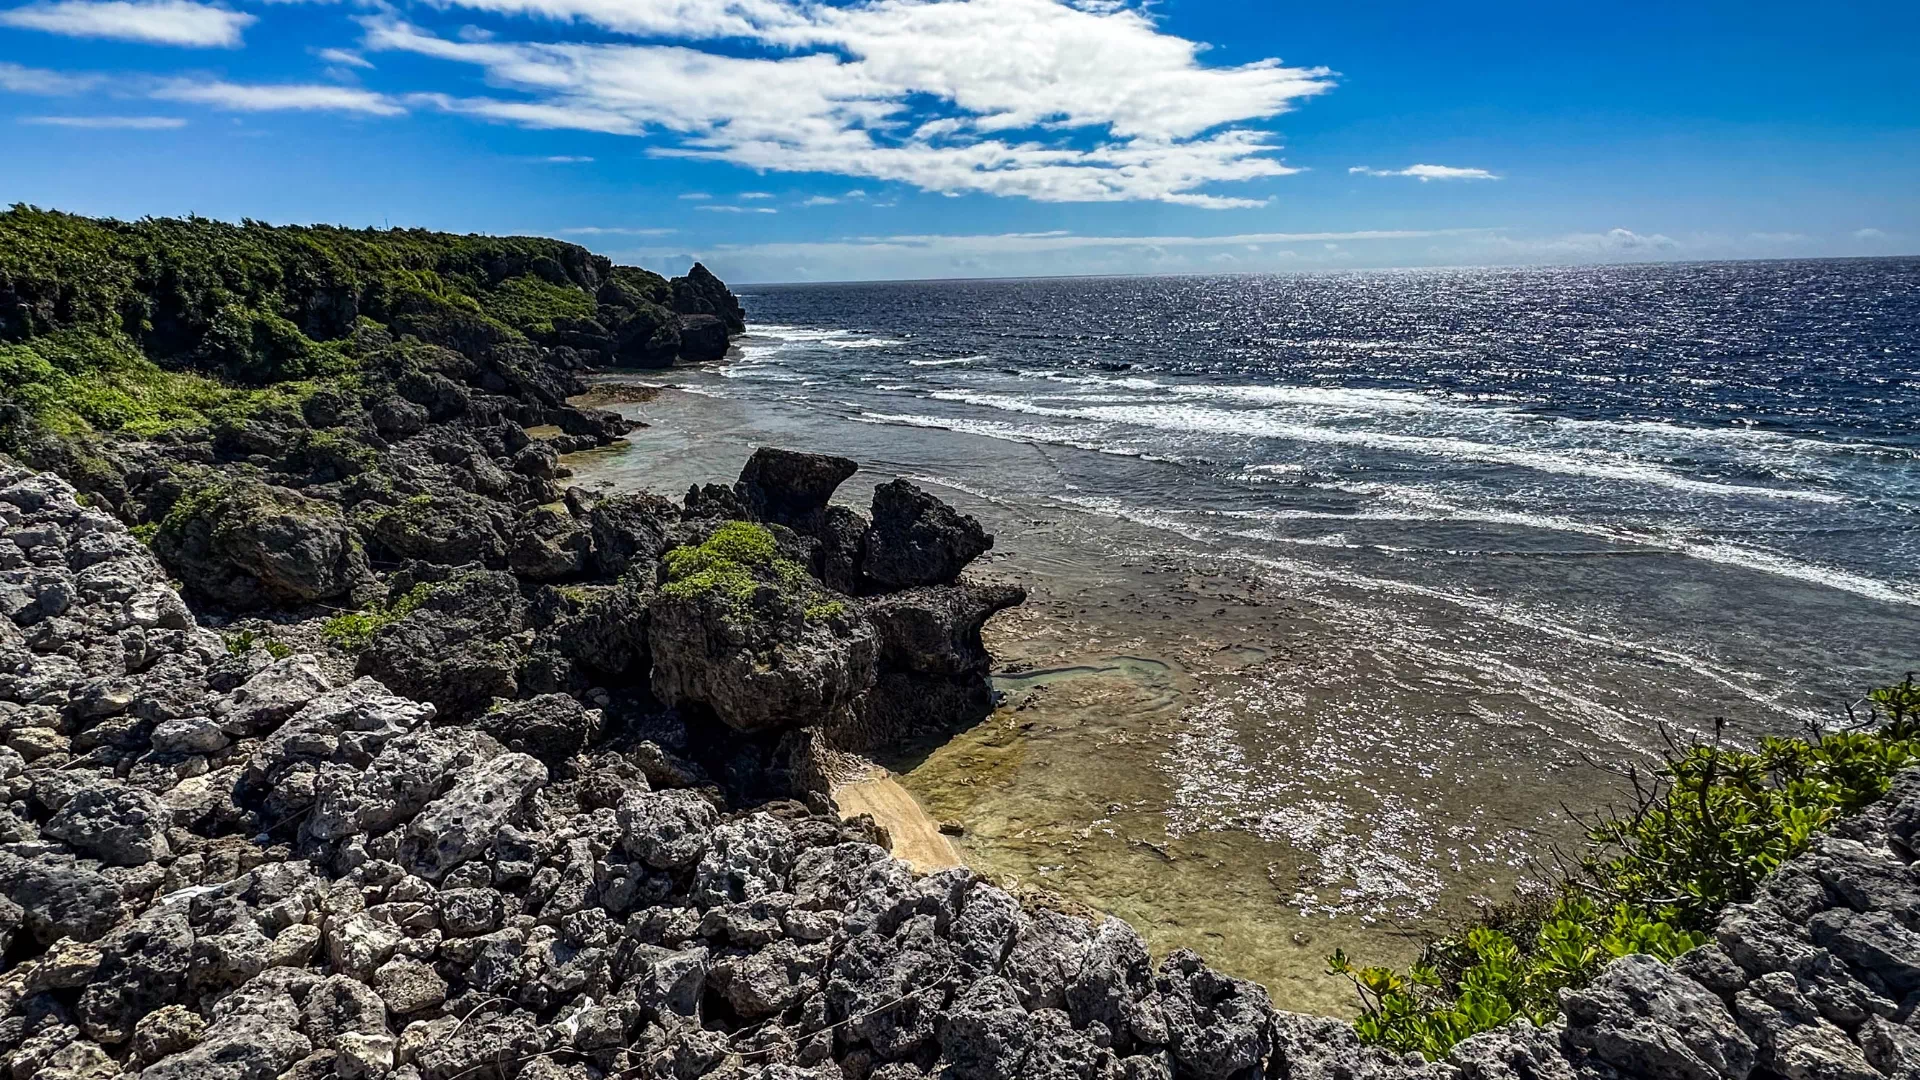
<point x="1201" y="420"/>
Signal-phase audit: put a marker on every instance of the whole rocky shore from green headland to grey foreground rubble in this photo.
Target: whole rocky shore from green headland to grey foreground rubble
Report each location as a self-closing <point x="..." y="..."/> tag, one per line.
<point x="343" y="737"/>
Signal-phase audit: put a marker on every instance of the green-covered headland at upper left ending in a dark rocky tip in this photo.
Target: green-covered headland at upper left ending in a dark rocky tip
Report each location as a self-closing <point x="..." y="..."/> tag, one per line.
<point x="172" y="326"/>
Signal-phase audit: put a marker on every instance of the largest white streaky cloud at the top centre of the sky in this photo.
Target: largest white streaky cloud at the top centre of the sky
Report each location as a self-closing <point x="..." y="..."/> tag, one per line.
<point x="1034" y="99"/>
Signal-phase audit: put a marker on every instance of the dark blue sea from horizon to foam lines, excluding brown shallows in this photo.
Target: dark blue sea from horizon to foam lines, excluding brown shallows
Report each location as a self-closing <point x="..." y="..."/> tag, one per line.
<point x="1752" y="414"/>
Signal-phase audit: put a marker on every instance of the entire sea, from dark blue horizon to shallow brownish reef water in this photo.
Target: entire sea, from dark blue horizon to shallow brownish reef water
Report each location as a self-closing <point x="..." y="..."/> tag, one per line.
<point x="1372" y="572"/>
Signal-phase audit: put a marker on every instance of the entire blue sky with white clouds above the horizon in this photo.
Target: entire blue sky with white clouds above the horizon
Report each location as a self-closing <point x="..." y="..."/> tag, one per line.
<point x="892" y="139"/>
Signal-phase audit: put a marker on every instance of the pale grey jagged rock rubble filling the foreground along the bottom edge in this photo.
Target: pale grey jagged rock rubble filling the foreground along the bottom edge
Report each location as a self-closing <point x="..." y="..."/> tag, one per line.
<point x="222" y="864"/>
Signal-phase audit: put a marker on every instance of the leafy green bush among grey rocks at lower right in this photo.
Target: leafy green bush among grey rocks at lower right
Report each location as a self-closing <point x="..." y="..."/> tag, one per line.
<point x="1700" y="835"/>
